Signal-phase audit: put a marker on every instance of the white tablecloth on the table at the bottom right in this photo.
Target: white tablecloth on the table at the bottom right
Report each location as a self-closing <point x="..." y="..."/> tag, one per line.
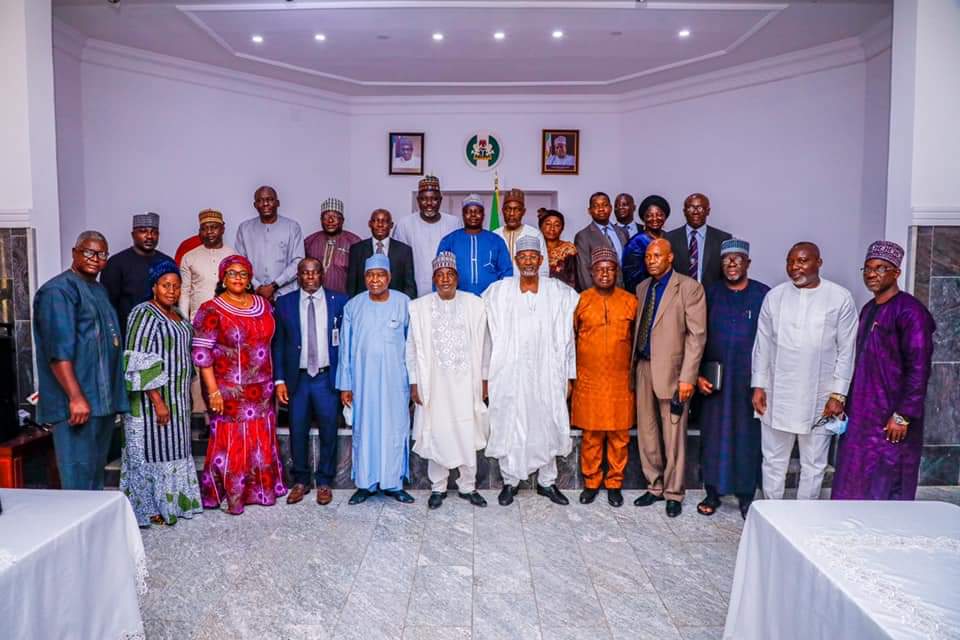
<point x="847" y="570"/>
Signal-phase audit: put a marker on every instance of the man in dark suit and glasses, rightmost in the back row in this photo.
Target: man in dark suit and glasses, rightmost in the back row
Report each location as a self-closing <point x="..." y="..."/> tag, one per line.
<point x="696" y="245"/>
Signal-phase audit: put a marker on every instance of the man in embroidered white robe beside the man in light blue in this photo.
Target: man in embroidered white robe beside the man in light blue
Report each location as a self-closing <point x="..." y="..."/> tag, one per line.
<point x="445" y="349"/>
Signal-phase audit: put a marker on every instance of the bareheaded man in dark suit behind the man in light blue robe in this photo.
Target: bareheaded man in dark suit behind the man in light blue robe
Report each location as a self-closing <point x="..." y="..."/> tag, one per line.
<point x="399" y="254"/>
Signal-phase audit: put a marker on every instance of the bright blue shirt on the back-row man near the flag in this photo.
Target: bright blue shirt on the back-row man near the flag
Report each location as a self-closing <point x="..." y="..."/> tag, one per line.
<point x="482" y="259"/>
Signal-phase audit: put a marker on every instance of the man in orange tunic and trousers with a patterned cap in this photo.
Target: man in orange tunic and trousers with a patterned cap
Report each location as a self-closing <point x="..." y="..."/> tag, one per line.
<point x="603" y="402"/>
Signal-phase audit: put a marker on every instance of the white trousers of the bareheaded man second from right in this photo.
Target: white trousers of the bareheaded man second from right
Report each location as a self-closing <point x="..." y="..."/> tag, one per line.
<point x="777" y="446"/>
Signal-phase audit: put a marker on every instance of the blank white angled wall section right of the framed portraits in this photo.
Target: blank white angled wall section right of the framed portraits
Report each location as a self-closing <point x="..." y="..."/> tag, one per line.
<point x="781" y="162"/>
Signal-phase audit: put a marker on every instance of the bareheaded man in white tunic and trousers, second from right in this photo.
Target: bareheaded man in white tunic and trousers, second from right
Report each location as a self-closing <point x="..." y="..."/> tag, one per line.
<point x="803" y="359"/>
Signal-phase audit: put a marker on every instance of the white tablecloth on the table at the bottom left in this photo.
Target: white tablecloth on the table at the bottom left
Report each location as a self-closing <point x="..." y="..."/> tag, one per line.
<point x="71" y="566"/>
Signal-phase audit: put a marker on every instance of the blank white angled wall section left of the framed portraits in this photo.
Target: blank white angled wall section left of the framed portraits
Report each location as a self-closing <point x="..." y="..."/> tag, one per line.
<point x="176" y="147"/>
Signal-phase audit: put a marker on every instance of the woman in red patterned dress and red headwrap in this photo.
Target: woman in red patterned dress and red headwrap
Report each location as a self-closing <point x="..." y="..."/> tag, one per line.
<point x="231" y="347"/>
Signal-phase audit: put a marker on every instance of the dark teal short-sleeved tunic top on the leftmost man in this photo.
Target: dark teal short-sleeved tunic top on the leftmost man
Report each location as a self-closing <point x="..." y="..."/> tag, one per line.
<point x="74" y="321"/>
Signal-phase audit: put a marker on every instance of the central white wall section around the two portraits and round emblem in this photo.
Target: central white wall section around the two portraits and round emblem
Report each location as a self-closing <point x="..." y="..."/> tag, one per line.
<point x="518" y="125"/>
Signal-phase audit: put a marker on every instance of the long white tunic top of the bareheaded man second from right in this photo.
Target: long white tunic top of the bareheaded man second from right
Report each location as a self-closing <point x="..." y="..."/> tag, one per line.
<point x="803" y="352"/>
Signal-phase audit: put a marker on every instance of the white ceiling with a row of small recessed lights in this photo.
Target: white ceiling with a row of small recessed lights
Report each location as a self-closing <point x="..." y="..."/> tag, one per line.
<point x="385" y="46"/>
